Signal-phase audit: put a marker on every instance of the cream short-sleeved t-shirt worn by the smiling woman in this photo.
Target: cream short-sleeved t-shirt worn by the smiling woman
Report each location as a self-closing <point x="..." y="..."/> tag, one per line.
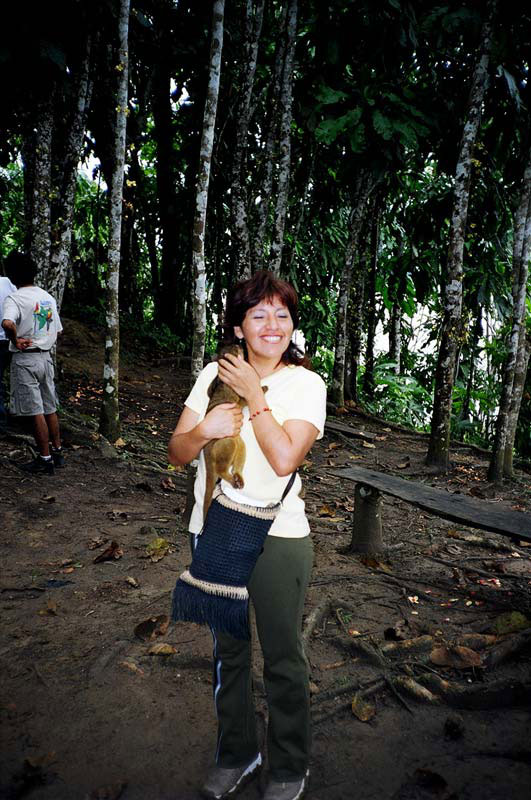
<point x="292" y="393"/>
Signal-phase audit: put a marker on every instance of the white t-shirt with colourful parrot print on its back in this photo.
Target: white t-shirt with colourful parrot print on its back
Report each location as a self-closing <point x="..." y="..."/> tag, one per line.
<point x="34" y="312"/>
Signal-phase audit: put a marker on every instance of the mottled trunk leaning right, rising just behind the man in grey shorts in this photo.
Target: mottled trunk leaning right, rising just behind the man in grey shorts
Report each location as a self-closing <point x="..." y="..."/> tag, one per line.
<point x="66" y="189"/>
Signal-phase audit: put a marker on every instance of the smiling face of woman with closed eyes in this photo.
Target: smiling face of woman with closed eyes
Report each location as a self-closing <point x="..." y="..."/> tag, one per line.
<point x="267" y="329"/>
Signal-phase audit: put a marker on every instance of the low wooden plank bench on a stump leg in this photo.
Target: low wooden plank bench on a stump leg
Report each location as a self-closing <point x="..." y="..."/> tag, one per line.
<point x="370" y="485"/>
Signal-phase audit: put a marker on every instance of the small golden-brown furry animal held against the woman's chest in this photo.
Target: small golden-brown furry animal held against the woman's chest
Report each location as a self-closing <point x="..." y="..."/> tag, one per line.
<point x="224" y="458"/>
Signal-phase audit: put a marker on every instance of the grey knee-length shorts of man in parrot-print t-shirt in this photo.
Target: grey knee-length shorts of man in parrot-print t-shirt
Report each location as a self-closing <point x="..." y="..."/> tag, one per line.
<point x="32" y="384"/>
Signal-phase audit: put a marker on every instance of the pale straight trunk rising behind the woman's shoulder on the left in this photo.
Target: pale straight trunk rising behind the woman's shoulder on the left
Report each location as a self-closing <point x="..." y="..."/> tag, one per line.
<point x="203" y="179"/>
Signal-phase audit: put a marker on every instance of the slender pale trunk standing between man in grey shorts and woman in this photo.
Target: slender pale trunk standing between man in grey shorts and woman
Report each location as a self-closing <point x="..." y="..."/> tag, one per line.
<point x="110" y="414"/>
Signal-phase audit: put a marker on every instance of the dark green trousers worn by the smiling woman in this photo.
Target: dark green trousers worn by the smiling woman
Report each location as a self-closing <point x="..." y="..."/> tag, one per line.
<point x="277" y="588"/>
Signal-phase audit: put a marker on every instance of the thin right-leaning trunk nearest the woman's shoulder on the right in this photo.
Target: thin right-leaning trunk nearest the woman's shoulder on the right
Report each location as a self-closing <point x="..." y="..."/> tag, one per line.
<point x="364" y="185"/>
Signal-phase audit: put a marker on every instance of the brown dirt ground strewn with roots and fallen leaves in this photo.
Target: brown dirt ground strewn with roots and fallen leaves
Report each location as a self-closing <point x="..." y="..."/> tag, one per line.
<point x="90" y="709"/>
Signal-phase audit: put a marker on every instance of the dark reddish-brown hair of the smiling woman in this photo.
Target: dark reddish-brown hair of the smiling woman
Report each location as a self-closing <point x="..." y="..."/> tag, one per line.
<point x="263" y="285"/>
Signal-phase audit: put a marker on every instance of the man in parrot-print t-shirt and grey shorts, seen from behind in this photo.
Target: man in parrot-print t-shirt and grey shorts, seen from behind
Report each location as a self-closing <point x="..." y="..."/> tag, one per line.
<point x="31" y="323"/>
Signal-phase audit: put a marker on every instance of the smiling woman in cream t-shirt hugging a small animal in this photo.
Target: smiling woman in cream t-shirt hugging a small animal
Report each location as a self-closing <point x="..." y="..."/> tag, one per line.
<point x="278" y="428"/>
